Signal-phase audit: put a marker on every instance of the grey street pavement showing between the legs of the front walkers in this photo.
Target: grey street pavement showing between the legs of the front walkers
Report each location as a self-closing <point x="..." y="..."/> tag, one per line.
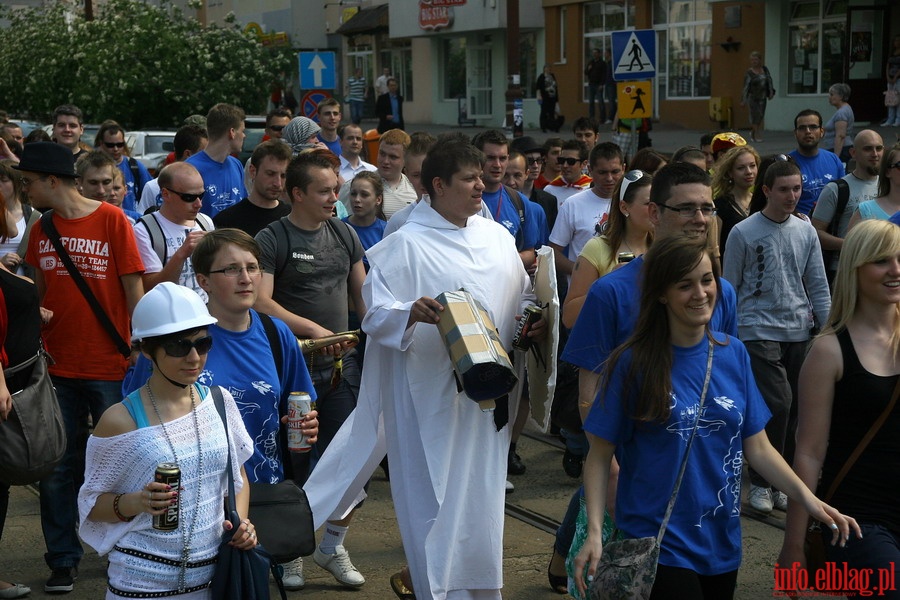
<point x="374" y="541"/>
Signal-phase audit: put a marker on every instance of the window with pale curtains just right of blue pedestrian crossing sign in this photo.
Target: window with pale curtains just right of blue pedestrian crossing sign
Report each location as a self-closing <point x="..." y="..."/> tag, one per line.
<point x="683" y="36"/>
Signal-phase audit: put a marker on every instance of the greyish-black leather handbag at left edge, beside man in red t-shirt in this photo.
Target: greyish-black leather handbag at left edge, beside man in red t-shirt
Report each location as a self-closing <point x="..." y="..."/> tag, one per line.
<point x="33" y="439"/>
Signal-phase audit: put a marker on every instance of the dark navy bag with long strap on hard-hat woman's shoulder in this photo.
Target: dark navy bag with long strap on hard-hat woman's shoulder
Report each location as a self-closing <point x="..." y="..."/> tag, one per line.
<point x="240" y="574"/>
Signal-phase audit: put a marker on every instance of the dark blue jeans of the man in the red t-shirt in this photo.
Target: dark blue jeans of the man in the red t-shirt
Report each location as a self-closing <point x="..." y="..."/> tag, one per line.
<point x="59" y="491"/>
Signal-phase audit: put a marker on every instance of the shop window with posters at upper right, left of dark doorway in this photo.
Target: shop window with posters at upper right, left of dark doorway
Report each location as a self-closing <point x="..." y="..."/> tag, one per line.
<point x="817" y="42"/>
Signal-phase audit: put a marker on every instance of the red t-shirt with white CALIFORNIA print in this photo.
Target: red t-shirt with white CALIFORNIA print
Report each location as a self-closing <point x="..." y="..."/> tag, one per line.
<point x="103" y="247"/>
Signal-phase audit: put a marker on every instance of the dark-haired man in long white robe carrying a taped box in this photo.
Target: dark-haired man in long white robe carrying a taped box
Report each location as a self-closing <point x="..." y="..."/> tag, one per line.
<point x="448" y="461"/>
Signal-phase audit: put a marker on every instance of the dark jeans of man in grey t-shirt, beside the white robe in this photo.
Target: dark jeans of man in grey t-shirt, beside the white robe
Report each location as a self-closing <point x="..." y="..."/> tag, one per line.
<point x="334" y="404"/>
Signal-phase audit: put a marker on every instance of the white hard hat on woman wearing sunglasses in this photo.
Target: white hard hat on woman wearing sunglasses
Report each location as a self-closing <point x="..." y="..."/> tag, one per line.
<point x="168" y="308"/>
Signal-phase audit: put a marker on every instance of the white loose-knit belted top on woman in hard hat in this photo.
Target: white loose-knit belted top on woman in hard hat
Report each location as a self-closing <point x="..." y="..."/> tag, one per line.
<point x="126" y="463"/>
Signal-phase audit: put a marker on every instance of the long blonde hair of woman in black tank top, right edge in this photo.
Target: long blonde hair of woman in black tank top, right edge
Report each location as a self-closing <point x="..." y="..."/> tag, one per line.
<point x="869" y="241"/>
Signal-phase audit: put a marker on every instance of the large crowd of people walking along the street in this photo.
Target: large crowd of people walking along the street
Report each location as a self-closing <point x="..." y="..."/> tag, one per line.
<point x="711" y="295"/>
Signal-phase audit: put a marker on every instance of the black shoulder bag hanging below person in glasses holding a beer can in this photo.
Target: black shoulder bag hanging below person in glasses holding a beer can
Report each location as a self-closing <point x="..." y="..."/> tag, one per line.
<point x="283" y="520"/>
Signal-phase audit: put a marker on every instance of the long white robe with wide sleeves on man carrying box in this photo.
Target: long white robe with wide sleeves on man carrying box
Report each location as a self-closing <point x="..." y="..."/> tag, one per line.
<point x="448" y="461"/>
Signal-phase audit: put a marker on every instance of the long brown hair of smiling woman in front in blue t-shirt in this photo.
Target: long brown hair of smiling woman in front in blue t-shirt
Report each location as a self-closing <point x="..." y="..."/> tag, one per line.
<point x="648" y="381"/>
